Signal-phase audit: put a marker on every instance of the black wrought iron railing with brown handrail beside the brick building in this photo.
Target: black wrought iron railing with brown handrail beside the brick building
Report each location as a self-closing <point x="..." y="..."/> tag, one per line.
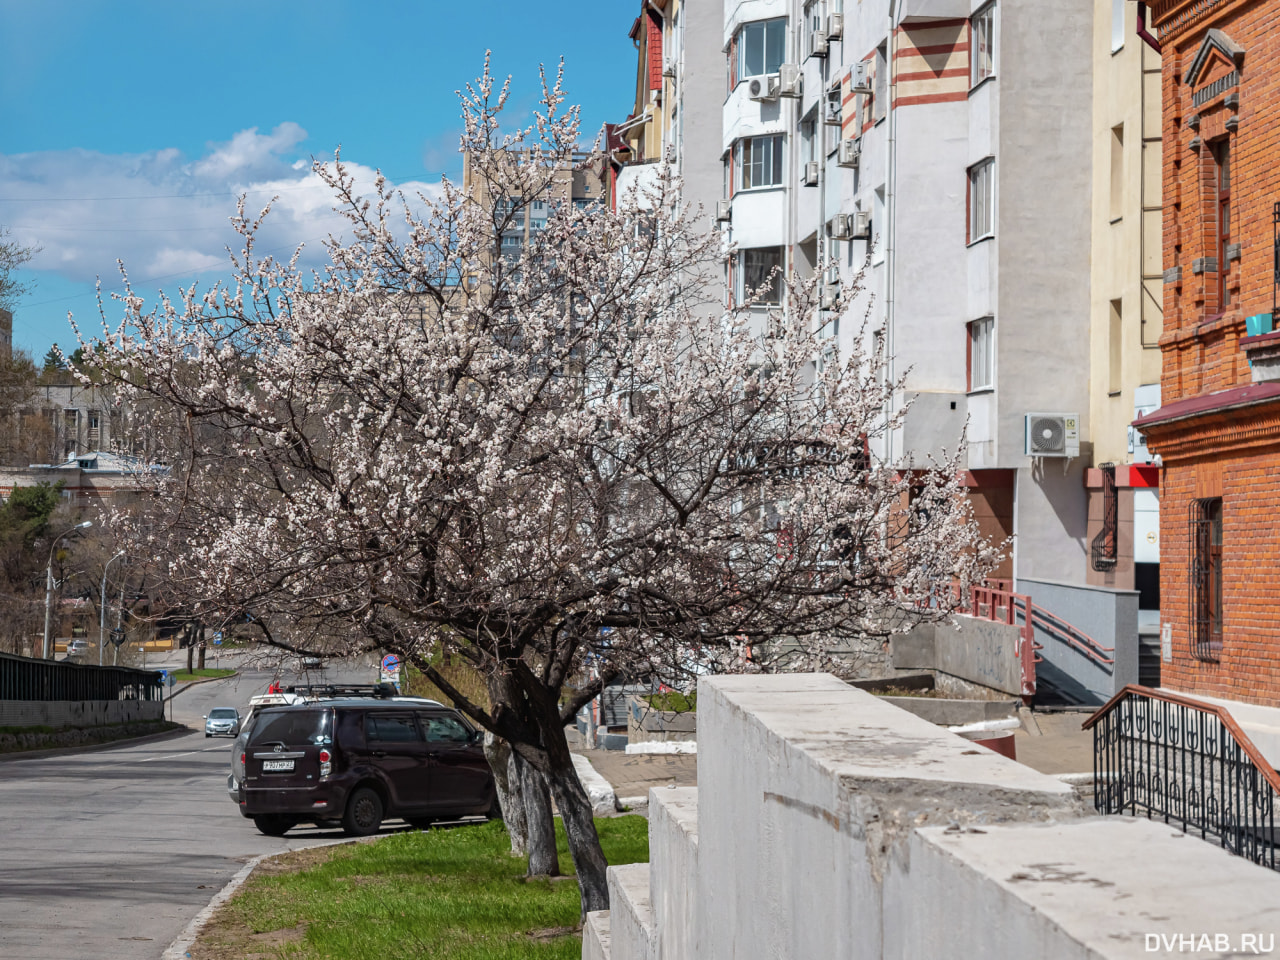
<point x="1190" y="765"/>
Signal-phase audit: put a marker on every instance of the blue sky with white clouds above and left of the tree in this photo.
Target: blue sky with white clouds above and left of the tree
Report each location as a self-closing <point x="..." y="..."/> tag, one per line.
<point x="127" y="129"/>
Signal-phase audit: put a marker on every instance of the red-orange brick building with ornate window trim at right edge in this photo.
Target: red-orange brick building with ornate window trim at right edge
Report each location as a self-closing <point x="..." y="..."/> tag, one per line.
<point x="1219" y="431"/>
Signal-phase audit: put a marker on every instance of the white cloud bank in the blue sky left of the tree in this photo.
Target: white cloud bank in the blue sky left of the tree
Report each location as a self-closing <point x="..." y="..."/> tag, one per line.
<point x="164" y="216"/>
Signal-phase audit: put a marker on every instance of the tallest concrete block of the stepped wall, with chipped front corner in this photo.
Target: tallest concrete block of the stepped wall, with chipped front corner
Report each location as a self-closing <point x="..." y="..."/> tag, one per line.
<point x="808" y="788"/>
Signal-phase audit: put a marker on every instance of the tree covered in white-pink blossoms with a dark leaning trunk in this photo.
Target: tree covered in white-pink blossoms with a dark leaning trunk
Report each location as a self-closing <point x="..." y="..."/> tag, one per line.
<point x="534" y="464"/>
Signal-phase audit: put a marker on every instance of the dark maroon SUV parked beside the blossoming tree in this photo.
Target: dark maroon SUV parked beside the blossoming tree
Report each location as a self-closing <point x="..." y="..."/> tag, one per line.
<point x="358" y="762"/>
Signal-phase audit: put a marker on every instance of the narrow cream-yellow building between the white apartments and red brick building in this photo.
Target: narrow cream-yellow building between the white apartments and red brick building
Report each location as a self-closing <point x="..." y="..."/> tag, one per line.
<point x="1127" y="313"/>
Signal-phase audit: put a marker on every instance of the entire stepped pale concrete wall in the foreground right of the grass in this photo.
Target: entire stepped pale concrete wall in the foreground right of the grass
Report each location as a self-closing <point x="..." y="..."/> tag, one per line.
<point x="830" y="825"/>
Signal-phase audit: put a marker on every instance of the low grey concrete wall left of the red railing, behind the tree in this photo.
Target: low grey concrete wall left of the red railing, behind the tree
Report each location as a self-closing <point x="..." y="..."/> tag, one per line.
<point x="977" y="651"/>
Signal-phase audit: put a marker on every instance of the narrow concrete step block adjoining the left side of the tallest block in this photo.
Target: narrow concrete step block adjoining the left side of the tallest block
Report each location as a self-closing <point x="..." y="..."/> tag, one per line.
<point x="674" y="872"/>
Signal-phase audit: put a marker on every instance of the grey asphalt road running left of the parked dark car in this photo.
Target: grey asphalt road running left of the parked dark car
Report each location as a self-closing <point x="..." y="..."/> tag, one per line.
<point x="107" y="856"/>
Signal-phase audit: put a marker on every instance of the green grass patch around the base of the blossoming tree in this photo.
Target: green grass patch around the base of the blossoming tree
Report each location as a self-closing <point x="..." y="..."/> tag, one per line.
<point x="452" y="894"/>
